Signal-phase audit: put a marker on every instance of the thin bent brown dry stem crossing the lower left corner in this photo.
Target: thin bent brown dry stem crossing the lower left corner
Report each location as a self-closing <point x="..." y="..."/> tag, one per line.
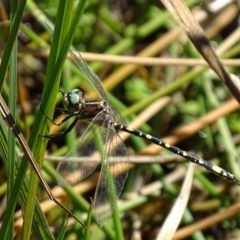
<point x="8" y="118"/>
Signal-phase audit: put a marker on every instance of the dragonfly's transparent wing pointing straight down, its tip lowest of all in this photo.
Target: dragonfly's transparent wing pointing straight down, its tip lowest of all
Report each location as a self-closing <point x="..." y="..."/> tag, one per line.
<point x="112" y="177"/>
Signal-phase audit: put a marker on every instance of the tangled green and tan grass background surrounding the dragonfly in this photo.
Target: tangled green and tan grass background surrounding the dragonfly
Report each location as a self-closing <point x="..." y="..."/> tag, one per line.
<point x="190" y="92"/>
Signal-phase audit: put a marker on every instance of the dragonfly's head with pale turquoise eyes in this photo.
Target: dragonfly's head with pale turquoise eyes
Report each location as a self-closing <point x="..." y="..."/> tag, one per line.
<point x="73" y="100"/>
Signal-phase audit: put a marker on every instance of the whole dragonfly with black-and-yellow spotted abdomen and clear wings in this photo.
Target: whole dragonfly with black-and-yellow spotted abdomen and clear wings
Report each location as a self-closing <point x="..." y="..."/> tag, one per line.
<point x="105" y="123"/>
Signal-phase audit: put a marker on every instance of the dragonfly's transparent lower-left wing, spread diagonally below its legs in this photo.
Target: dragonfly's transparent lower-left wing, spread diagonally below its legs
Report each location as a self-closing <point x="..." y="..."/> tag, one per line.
<point x="81" y="161"/>
